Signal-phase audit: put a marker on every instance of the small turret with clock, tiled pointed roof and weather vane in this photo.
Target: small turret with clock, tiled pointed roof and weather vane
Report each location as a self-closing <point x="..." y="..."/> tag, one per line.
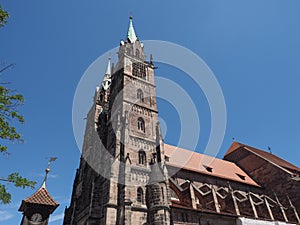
<point x="38" y="207"/>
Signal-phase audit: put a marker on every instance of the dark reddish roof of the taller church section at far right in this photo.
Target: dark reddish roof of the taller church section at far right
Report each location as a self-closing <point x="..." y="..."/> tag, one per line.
<point x="263" y="154"/>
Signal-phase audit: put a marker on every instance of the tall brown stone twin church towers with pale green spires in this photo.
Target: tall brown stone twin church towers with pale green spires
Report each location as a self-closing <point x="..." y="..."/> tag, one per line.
<point x="122" y="178"/>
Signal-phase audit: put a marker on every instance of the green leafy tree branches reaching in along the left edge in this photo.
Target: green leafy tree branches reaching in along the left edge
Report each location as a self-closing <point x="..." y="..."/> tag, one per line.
<point x="9" y="114"/>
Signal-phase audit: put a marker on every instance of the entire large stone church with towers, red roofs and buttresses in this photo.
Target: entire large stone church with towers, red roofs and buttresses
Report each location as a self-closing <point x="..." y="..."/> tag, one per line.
<point x="129" y="176"/>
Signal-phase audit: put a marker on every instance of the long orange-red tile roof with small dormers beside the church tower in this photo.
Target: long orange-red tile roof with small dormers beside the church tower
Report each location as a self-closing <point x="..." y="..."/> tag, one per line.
<point x="186" y="159"/>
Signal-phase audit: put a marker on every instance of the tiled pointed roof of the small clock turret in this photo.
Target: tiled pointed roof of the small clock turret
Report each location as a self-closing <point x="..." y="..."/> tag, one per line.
<point x="41" y="197"/>
